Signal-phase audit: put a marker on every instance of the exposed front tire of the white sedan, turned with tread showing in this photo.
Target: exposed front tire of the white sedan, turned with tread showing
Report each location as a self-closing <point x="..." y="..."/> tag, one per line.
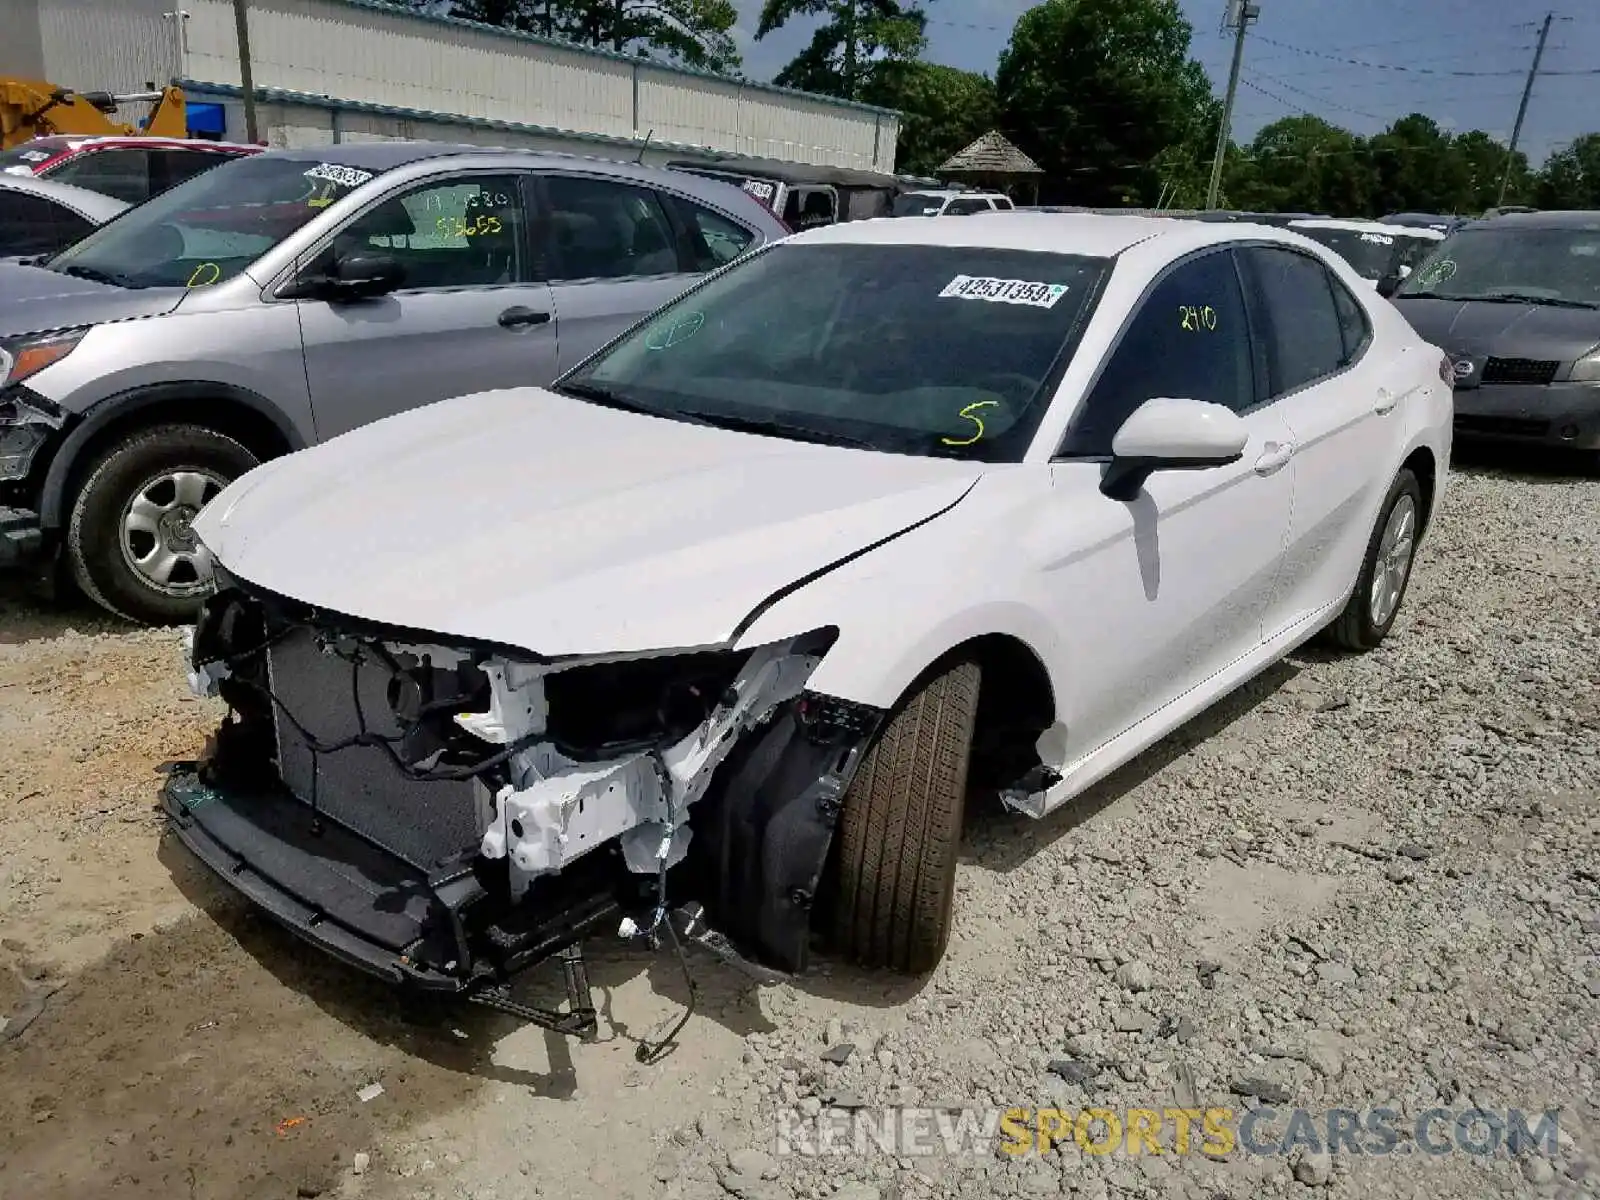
<point x="902" y="830"/>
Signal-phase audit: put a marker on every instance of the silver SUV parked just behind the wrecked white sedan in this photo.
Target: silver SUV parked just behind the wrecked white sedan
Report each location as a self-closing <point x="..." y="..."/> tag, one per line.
<point x="289" y="297"/>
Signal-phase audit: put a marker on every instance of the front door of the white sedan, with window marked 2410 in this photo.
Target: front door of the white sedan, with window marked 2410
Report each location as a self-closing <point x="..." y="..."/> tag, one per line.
<point x="1174" y="585"/>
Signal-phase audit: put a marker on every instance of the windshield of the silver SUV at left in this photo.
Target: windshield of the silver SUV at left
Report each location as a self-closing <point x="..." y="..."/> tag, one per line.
<point x="212" y="226"/>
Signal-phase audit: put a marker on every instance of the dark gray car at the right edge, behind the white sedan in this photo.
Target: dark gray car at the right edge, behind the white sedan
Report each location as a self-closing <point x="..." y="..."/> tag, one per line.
<point x="1516" y="305"/>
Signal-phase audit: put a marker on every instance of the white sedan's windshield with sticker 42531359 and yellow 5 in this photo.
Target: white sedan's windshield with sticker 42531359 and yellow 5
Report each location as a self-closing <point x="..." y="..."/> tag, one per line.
<point x="913" y="350"/>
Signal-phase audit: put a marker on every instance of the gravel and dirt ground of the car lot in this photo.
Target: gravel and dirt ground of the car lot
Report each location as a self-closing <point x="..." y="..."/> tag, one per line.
<point x="1359" y="882"/>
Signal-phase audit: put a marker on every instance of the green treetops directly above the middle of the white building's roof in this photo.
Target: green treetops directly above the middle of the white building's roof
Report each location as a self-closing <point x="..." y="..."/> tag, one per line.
<point x="697" y="33"/>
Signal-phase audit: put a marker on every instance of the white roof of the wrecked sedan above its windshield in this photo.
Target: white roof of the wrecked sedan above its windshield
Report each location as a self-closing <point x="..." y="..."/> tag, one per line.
<point x="1089" y="234"/>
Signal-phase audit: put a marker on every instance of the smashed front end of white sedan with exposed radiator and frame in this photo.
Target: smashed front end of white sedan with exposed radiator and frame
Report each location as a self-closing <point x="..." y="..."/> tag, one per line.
<point x="447" y="815"/>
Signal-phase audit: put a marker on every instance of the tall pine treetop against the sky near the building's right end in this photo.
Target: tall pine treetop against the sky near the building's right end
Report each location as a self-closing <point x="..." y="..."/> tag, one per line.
<point x="857" y="44"/>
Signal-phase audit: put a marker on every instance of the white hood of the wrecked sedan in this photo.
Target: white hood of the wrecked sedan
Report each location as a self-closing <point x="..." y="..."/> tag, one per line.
<point x="561" y="527"/>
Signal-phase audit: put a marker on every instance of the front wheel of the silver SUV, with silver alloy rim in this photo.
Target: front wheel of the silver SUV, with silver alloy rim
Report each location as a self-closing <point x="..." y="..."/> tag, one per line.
<point x="129" y="543"/>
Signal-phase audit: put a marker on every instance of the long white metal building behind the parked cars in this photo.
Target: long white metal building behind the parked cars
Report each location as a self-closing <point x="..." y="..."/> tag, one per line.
<point x="332" y="71"/>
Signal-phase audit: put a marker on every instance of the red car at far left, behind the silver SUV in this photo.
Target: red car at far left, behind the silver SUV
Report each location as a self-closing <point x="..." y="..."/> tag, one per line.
<point x="129" y="169"/>
